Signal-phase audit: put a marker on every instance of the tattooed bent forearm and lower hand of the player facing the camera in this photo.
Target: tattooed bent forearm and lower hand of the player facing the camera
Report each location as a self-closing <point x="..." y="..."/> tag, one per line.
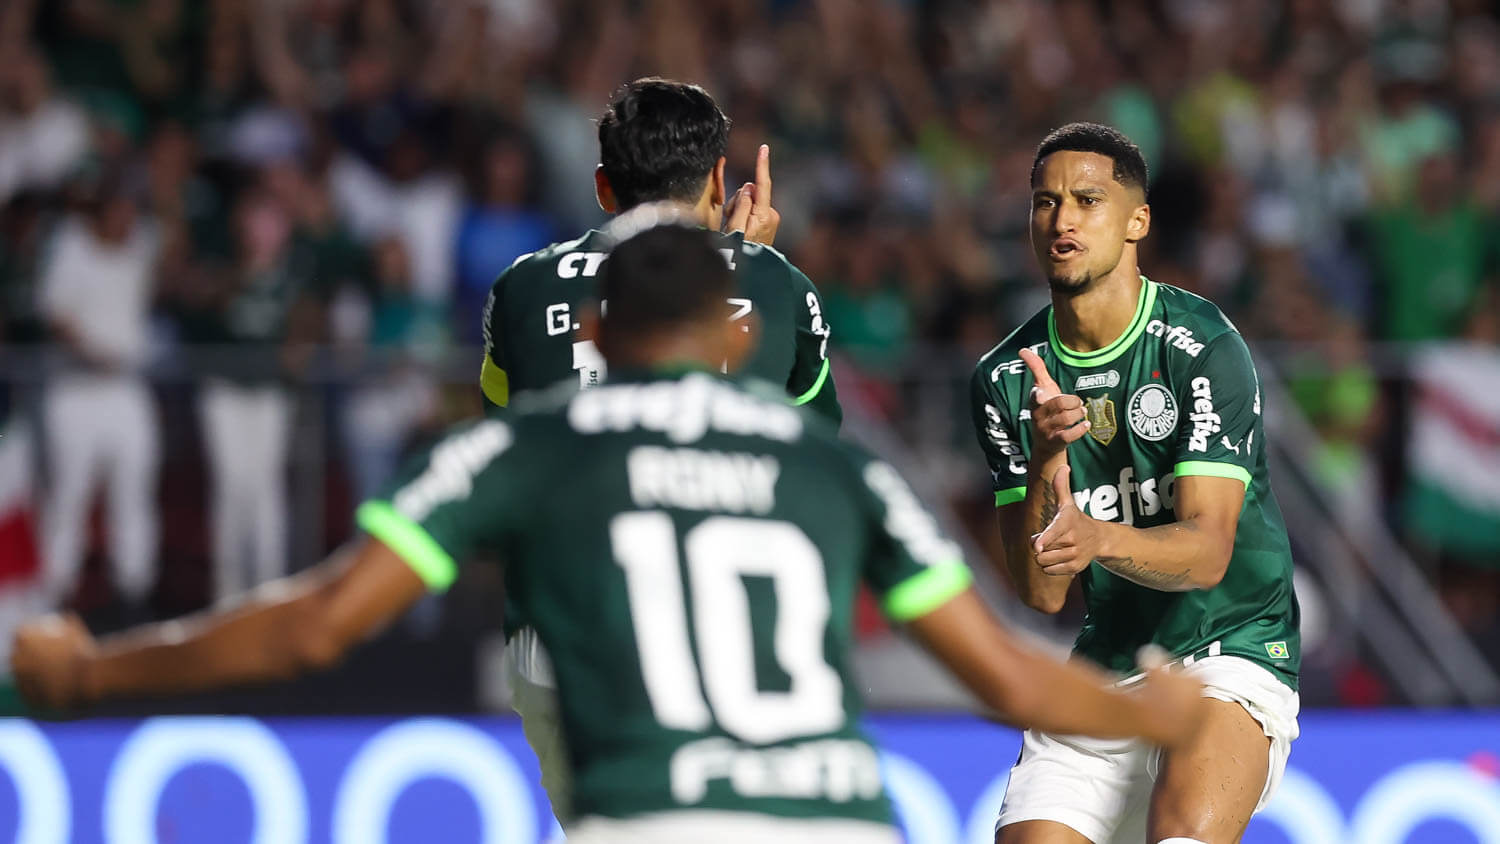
<point x="1189" y="554"/>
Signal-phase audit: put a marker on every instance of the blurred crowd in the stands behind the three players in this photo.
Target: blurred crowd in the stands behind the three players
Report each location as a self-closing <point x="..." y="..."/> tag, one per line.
<point x="208" y="208"/>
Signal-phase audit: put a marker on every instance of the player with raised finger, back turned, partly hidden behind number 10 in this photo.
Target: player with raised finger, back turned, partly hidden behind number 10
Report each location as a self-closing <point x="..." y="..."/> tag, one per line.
<point x="659" y="142"/>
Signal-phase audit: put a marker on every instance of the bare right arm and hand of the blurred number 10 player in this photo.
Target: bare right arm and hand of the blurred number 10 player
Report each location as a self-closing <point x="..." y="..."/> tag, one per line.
<point x="1031" y="690"/>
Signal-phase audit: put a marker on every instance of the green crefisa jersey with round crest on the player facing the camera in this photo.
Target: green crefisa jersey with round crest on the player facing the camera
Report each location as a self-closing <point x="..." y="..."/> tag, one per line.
<point x="1175" y="395"/>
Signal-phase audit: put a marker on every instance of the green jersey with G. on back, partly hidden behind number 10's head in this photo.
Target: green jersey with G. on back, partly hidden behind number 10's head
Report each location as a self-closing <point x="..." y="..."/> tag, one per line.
<point x="533" y="313"/>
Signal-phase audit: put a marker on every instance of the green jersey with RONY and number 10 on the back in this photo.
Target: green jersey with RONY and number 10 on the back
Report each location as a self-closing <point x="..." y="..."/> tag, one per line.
<point x="689" y="554"/>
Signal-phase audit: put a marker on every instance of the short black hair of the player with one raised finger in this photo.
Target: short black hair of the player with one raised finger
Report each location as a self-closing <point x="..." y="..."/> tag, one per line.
<point x="659" y="140"/>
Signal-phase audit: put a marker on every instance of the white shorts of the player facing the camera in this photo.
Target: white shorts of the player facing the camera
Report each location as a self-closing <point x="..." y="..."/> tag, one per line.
<point x="1102" y="788"/>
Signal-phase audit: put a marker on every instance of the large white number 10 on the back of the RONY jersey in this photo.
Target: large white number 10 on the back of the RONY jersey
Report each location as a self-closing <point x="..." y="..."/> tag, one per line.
<point x="721" y="552"/>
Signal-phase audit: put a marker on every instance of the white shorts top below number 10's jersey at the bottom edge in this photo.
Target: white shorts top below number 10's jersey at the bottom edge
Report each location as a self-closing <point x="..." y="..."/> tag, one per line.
<point x="728" y="828"/>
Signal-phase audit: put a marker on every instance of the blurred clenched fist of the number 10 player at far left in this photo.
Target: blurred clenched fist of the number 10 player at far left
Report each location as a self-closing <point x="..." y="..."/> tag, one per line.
<point x="49" y="657"/>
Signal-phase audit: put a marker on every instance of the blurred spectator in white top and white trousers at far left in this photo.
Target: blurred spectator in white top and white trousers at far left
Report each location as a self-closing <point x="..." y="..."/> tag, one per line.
<point x="100" y="418"/>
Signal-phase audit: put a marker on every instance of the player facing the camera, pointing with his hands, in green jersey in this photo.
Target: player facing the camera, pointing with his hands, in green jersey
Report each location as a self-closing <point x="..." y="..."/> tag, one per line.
<point x="1123" y="429"/>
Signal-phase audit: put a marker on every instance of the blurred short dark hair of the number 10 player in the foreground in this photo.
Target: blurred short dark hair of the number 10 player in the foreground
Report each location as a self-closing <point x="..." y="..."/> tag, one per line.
<point x="664" y="278"/>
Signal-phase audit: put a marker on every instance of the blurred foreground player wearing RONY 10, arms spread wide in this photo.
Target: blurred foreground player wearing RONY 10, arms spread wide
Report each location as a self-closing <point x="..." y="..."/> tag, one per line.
<point x="697" y="602"/>
